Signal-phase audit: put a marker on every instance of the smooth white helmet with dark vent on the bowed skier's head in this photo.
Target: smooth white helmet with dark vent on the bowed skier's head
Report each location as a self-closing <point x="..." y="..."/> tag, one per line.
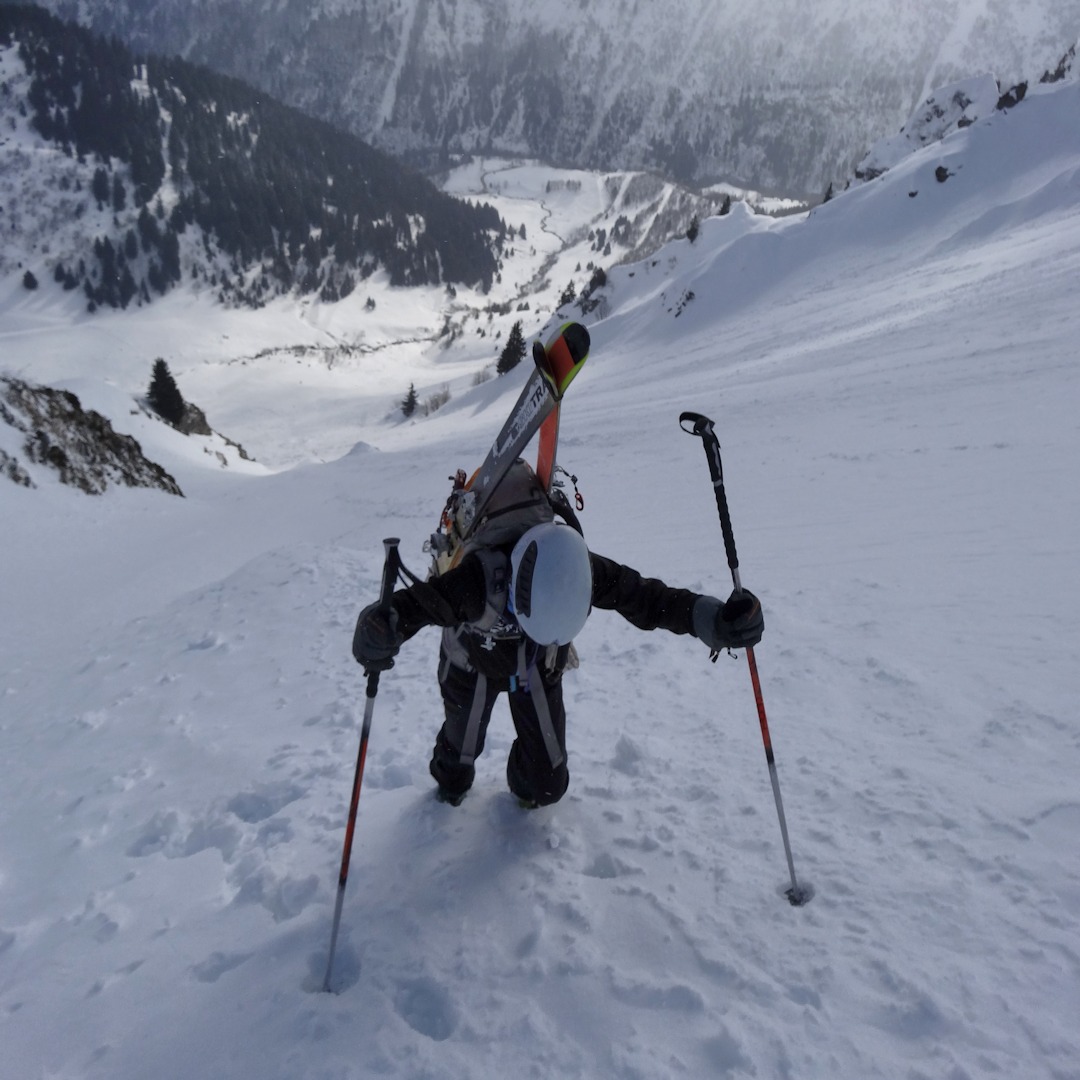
<point x="551" y="584"/>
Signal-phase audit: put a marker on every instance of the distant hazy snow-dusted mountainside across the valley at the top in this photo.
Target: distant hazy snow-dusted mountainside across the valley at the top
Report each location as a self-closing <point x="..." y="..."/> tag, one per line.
<point x="781" y="96"/>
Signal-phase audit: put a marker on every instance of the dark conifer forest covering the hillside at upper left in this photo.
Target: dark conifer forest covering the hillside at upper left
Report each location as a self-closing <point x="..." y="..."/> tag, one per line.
<point x="283" y="202"/>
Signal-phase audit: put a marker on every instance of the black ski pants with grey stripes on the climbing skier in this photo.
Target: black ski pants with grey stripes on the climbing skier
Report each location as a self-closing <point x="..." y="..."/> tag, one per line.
<point x="536" y="768"/>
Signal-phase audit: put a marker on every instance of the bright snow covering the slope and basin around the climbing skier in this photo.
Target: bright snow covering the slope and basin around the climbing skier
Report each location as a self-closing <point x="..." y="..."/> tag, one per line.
<point x="895" y="384"/>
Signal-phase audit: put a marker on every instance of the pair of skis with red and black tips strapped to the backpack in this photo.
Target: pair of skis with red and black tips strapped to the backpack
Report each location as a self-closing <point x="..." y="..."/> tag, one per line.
<point x="537" y="410"/>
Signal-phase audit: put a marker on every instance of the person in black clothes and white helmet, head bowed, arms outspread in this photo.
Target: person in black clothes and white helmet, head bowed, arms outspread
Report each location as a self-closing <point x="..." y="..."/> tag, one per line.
<point x="510" y="613"/>
